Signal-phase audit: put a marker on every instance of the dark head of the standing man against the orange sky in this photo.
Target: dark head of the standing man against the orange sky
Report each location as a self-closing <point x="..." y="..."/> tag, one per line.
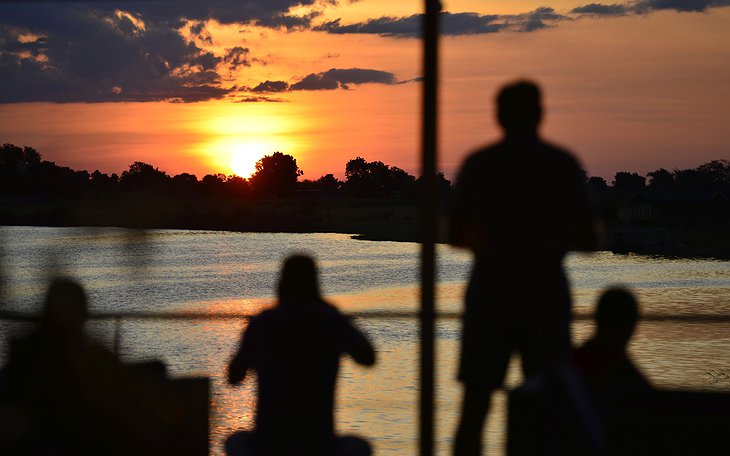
<point x="519" y="108"/>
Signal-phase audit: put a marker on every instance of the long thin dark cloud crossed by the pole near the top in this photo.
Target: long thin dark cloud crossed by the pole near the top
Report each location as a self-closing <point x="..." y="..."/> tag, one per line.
<point x="452" y="24"/>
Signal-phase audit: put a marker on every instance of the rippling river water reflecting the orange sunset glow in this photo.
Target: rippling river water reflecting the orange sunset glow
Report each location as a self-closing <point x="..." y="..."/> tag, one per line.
<point x="213" y="273"/>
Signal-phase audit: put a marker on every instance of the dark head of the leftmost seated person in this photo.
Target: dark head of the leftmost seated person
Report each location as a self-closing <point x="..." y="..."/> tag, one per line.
<point x="66" y="308"/>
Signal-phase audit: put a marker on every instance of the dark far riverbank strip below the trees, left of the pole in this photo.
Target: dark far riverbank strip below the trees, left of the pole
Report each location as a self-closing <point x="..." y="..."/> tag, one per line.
<point x="392" y="219"/>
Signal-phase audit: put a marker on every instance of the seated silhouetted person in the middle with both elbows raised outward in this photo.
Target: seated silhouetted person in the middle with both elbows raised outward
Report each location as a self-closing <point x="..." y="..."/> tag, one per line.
<point x="295" y="350"/>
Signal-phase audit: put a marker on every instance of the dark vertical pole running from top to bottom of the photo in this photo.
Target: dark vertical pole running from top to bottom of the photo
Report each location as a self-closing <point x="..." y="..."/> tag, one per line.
<point x="428" y="225"/>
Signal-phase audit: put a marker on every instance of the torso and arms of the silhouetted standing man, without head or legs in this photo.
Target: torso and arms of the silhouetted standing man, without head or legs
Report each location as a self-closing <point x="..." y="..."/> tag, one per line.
<point x="522" y="200"/>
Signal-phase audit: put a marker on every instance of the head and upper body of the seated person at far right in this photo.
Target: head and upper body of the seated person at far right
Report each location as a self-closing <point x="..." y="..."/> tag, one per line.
<point x="604" y="360"/>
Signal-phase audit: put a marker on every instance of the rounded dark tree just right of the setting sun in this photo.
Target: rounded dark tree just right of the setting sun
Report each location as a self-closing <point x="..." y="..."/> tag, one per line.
<point x="276" y="174"/>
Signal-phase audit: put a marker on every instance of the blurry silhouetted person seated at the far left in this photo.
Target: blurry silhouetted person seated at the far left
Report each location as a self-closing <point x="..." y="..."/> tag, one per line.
<point x="61" y="393"/>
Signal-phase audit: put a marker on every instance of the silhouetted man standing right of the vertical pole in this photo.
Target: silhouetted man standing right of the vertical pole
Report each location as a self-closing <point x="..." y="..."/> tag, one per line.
<point x="520" y="205"/>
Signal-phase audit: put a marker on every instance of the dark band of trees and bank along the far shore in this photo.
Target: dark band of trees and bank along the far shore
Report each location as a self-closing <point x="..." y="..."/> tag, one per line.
<point x="680" y="213"/>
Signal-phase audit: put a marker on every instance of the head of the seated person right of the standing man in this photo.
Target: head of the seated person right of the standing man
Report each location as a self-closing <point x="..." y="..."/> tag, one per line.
<point x="616" y="315"/>
